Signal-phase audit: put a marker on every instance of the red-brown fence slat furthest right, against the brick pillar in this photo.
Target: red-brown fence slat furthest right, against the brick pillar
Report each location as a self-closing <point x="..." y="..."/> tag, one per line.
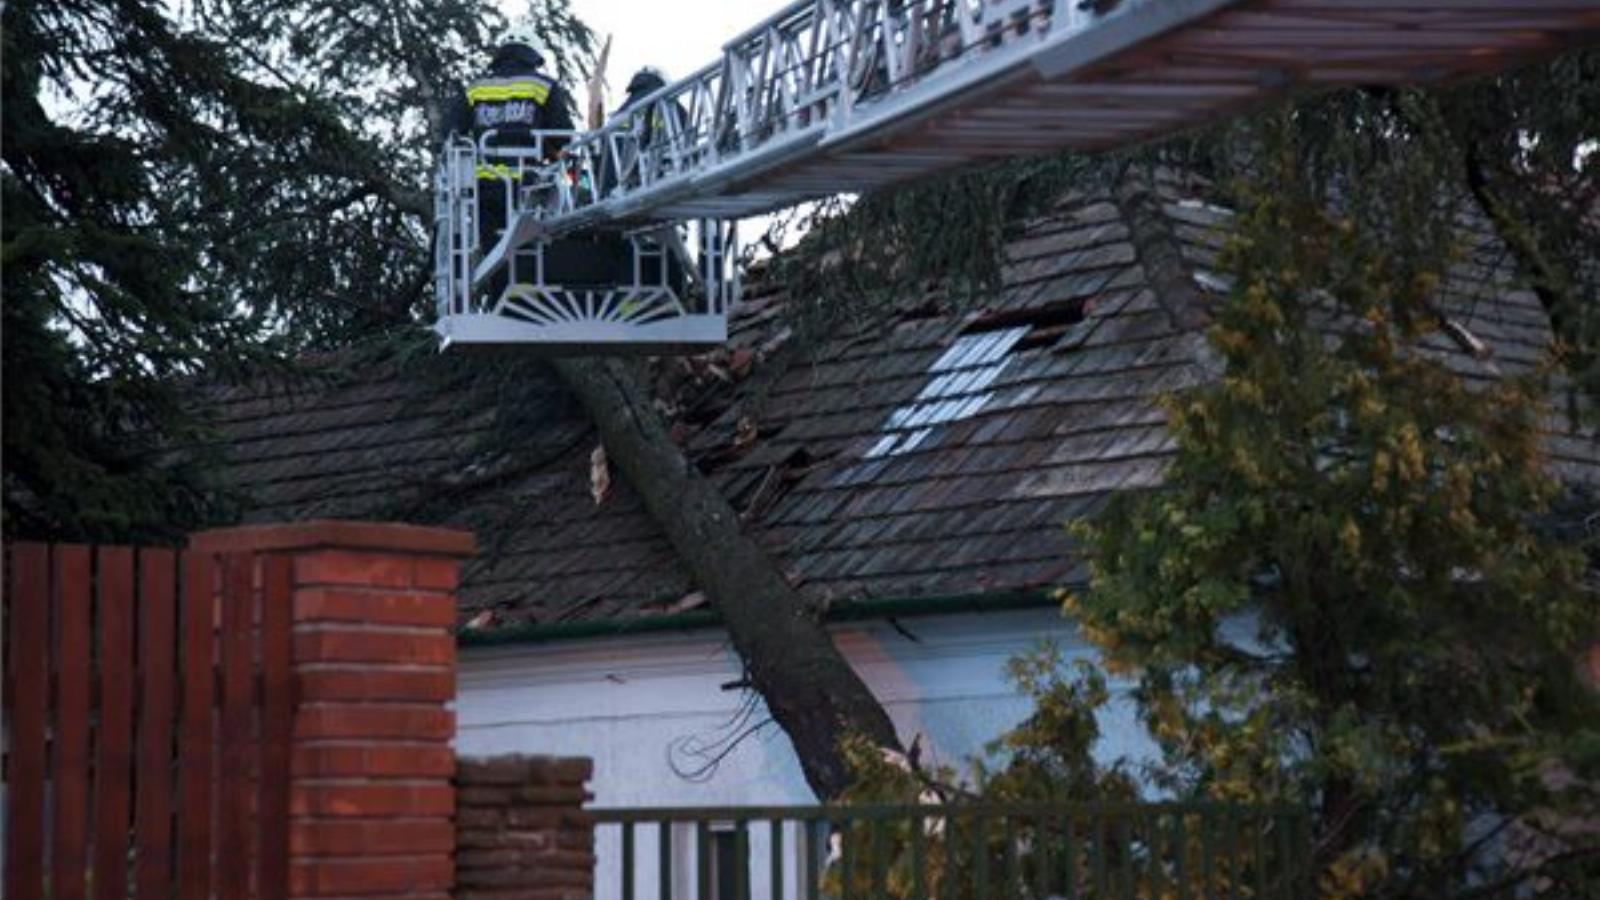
<point x="278" y="720"/>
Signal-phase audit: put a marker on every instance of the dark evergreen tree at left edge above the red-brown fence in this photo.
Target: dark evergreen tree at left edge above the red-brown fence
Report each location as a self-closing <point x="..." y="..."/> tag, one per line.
<point x="102" y="308"/>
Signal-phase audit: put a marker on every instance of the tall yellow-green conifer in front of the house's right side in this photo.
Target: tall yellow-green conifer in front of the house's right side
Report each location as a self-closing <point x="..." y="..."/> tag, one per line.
<point x="1340" y="598"/>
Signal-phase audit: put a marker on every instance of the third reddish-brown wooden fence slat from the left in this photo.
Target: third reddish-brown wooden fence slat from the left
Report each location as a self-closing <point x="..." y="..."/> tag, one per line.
<point x="114" y="741"/>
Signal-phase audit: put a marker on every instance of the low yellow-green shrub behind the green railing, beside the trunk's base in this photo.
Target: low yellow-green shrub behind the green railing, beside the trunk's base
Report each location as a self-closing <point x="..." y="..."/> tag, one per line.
<point x="1042" y="819"/>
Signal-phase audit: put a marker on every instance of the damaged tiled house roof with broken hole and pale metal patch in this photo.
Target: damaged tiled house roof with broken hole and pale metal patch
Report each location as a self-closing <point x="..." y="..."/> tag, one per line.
<point x="927" y="454"/>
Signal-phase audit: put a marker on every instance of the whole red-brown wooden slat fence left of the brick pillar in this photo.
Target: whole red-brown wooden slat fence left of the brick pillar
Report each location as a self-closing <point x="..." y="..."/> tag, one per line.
<point x="148" y="715"/>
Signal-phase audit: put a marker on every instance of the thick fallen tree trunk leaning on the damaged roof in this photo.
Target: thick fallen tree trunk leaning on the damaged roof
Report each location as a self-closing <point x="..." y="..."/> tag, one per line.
<point x="809" y="688"/>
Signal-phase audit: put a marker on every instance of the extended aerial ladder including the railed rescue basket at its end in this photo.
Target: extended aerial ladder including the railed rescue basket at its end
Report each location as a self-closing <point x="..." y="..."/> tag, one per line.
<point x="838" y="97"/>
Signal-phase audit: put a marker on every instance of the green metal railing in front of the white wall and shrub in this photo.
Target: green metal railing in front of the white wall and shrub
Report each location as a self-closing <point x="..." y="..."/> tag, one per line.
<point x="958" y="853"/>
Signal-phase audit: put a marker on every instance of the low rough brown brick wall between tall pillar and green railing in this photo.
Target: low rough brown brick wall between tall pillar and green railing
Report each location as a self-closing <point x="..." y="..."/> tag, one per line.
<point x="522" y="832"/>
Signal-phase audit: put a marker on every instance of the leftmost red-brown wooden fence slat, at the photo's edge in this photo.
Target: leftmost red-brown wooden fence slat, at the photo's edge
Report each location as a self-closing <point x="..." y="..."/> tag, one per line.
<point x="30" y="614"/>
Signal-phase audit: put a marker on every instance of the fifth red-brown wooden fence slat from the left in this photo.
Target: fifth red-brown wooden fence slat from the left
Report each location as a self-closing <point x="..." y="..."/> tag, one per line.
<point x="196" y="742"/>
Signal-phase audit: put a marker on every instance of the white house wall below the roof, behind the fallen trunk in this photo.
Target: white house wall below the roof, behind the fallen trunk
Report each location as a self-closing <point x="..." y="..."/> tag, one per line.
<point x="625" y="702"/>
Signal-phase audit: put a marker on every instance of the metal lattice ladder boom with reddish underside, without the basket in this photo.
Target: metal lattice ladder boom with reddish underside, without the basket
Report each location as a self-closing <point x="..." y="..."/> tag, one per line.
<point x="833" y="97"/>
